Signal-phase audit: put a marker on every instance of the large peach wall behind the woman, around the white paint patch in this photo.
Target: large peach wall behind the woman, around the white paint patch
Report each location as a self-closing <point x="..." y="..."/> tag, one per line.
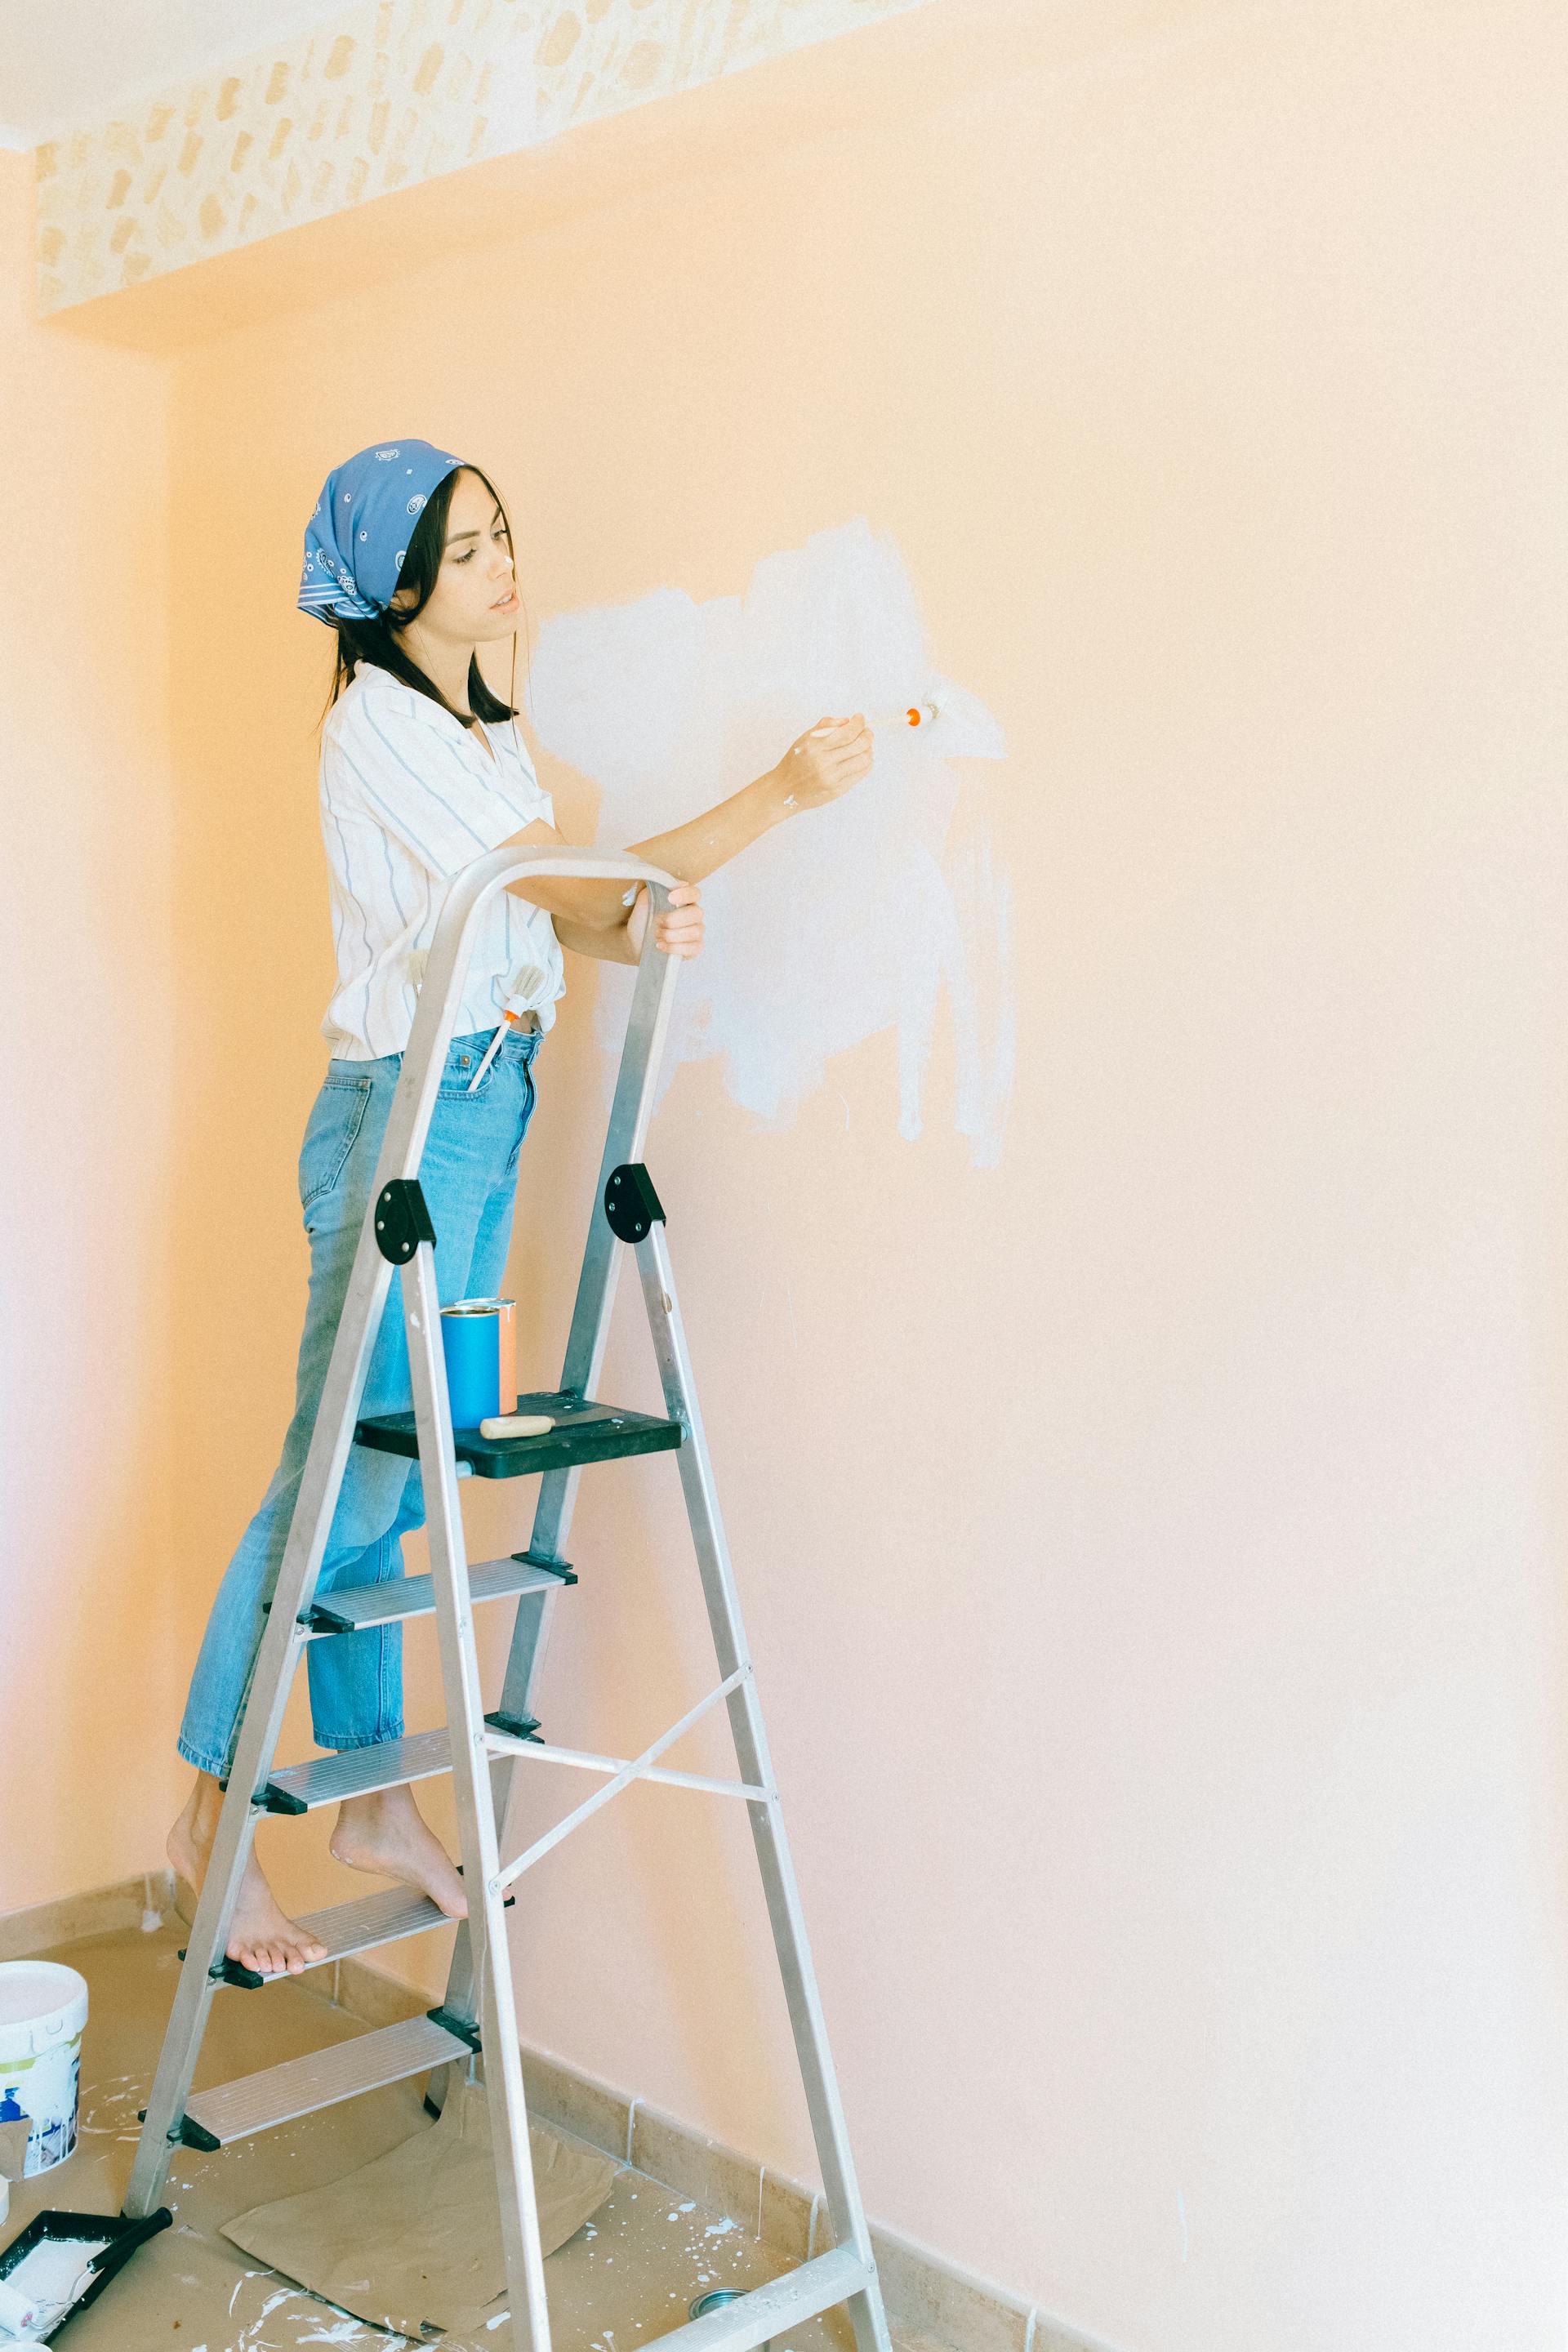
<point x="1151" y="1544"/>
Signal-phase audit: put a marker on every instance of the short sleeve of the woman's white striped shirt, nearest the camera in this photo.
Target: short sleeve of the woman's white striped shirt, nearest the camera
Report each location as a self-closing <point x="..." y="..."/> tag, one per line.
<point x="403" y="756"/>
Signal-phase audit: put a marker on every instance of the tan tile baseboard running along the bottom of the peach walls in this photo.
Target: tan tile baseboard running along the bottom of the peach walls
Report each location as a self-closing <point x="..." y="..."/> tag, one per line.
<point x="932" y="2301"/>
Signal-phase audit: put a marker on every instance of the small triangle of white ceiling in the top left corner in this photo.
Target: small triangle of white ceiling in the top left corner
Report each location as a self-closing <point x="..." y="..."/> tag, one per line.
<point x="74" y="62"/>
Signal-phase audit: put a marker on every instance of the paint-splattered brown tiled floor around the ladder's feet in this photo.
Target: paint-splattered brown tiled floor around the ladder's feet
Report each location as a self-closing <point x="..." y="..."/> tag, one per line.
<point x="192" y="2292"/>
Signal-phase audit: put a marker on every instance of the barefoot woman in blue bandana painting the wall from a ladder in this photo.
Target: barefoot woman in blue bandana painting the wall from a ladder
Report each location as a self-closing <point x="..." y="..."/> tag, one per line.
<point x="410" y="561"/>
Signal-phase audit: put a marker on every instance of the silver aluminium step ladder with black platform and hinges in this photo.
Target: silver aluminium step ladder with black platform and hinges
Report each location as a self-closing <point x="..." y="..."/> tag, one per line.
<point x="485" y="1751"/>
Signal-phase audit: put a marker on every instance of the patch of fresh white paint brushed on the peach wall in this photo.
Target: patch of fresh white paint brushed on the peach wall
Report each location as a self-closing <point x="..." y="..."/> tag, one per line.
<point x="845" y="921"/>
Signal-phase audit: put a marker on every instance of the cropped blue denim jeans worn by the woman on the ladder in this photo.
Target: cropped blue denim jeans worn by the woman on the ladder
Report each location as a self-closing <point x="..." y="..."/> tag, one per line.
<point x="469" y="1177"/>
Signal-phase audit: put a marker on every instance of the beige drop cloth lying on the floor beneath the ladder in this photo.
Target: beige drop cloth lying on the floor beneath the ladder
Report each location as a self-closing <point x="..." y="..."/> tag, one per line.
<point x="413" y="2243"/>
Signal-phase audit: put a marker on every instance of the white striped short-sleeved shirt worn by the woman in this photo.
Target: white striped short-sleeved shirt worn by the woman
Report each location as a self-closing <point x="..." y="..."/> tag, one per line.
<point x="408" y="801"/>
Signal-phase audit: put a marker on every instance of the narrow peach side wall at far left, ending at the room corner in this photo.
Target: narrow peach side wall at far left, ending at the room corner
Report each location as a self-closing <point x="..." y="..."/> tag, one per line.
<point x="88" y="1638"/>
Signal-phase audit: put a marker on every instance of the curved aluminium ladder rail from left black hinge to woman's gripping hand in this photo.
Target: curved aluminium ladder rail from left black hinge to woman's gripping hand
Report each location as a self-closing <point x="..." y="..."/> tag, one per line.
<point x="448" y="968"/>
